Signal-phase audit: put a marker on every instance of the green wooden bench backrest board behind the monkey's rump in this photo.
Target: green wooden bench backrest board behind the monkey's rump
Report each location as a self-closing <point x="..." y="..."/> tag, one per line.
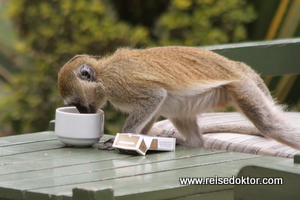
<point x="269" y="58"/>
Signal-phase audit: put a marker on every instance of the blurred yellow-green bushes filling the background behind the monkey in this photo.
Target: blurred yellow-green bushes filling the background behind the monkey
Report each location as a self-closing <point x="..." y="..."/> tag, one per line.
<point x="52" y="31"/>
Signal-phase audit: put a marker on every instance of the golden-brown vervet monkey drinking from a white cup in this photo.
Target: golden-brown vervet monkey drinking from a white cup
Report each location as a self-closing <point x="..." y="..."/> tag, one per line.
<point x="178" y="83"/>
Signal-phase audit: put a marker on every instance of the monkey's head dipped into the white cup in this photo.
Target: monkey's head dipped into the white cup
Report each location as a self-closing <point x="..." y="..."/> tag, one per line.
<point x="77" y="84"/>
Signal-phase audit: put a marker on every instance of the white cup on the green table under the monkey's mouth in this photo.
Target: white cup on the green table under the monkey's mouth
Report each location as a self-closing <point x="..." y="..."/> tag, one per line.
<point x="76" y="129"/>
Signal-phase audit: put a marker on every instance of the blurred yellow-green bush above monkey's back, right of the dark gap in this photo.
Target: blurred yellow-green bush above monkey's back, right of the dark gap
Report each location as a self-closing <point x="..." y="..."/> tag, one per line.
<point x="204" y="22"/>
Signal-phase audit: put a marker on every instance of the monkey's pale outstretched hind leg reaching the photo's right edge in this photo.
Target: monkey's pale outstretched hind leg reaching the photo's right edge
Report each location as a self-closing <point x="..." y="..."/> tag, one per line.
<point x="263" y="113"/>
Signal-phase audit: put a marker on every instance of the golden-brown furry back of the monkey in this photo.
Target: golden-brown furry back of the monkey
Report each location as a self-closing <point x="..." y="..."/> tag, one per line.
<point x="174" y="68"/>
